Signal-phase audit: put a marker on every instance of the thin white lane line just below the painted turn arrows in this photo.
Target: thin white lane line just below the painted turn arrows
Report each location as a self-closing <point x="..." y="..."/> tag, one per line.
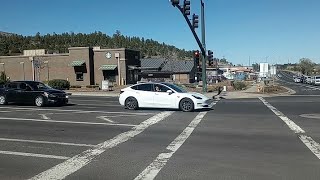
<point x="66" y="122"/>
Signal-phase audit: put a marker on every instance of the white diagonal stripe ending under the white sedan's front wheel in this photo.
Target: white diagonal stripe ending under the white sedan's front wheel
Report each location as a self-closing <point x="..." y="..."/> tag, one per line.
<point x="155" y="167"/>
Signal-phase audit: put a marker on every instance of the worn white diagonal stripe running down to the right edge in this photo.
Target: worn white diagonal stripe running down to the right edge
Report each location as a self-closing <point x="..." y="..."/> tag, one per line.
<point x="307" y="140"/>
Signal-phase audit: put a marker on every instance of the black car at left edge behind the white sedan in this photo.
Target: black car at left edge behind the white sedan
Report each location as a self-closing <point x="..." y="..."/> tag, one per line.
<point x="31" y="92"/>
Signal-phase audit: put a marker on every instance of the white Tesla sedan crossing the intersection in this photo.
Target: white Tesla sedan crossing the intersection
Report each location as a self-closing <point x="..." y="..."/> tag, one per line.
<point x="162" y="95"/>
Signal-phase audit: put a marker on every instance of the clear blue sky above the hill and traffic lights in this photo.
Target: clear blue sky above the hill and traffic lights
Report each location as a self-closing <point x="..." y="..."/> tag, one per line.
<point x="274" y="30"/>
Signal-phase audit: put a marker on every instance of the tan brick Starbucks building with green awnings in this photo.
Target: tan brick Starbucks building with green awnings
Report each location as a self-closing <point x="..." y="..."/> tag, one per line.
<point x="81" y="66"/>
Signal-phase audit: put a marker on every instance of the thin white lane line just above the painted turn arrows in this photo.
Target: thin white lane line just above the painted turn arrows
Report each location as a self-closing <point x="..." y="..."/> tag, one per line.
<point x="74" y="111"/>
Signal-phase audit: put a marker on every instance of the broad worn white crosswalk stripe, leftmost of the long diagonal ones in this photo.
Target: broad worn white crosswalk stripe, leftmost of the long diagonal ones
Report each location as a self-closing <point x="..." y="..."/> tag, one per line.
<point x="75" y="163"/>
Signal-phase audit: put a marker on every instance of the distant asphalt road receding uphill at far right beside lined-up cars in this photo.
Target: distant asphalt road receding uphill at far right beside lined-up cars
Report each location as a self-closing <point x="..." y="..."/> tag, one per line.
<point x="286" y="79"/>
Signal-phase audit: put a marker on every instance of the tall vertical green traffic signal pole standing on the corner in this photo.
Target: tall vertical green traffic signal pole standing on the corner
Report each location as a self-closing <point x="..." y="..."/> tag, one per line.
<point x="203" y="32"/>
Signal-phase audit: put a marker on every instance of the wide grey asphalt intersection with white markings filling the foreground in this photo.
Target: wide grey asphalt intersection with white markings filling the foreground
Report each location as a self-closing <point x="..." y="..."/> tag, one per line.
<point x="95" y="138"/>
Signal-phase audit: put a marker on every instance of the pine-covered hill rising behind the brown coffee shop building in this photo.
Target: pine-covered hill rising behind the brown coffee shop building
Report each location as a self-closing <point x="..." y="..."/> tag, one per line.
<point x="61" y="42"/>
